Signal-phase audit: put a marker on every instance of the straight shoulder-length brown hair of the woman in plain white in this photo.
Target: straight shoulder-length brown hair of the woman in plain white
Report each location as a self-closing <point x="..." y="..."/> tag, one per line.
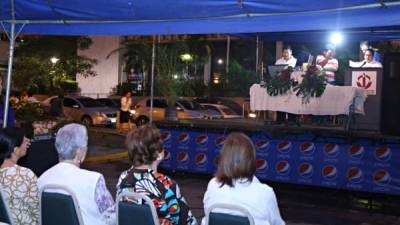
<point x="237" y="160"/>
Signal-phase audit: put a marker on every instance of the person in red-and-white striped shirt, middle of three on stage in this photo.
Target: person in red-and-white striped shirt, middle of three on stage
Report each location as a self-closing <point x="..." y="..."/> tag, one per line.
<point x="329" y="63"/>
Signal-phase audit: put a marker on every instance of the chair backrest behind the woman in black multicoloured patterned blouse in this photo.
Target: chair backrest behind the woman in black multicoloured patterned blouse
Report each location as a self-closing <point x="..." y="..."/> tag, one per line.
<point x="136" y="214"/>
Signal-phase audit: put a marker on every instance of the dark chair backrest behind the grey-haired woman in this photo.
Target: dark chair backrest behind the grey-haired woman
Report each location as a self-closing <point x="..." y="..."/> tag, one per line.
<point x="59" y="205"/>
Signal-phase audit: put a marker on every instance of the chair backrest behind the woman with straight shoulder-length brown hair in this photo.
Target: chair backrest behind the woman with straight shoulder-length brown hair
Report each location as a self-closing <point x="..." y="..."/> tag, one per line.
<point x="215" y="218"/>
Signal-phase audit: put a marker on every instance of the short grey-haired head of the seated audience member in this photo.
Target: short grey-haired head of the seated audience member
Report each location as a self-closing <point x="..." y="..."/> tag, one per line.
<point x="69" y="139"/>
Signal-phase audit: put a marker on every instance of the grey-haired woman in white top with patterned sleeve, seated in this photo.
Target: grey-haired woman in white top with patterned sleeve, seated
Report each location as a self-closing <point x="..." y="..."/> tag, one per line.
<point x="96" y="202"/>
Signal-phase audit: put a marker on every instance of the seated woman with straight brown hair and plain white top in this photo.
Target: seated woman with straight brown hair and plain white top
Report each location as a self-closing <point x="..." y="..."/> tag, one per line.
<point x="235" y="183"/>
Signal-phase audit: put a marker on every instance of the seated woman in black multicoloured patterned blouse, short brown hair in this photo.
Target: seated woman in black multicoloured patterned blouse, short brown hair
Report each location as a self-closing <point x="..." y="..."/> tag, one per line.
<point x="145" y="151"/>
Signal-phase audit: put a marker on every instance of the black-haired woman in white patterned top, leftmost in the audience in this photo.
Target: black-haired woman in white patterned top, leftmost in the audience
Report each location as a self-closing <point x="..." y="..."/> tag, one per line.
<point x="19" y="184"/>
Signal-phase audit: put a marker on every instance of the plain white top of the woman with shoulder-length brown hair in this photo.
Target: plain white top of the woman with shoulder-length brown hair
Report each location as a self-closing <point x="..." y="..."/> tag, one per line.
<point x="259" y="199"/>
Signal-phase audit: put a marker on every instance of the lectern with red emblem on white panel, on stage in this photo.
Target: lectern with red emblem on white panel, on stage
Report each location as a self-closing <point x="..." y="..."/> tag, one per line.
<point x="369" y="79"/>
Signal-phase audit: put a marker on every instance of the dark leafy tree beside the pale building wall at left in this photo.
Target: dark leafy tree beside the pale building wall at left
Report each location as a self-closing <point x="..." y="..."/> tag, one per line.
<point x="33" y="70"/>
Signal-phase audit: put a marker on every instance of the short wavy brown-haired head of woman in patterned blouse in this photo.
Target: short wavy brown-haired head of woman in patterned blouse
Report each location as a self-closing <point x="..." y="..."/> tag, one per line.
<point x="144" y="145"/>
